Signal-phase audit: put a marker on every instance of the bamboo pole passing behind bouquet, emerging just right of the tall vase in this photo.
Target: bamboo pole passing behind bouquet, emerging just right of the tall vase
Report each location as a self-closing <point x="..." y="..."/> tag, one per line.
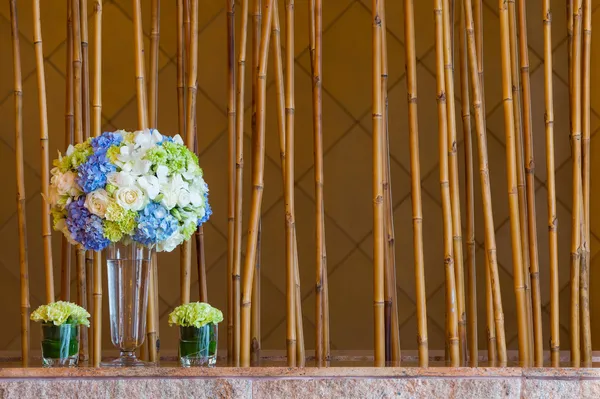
<point x="152" y="331"/>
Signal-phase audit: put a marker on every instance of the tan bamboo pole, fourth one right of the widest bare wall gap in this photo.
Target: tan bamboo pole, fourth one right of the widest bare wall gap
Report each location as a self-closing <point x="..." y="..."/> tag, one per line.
<point x="441" y="96"/>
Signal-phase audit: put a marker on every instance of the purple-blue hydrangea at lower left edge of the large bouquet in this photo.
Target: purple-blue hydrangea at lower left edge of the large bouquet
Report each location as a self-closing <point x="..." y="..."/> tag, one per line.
<point x="85" y="228"/>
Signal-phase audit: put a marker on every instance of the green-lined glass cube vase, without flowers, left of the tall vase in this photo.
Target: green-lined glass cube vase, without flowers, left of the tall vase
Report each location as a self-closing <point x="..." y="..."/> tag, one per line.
<point x="60" y="345"/>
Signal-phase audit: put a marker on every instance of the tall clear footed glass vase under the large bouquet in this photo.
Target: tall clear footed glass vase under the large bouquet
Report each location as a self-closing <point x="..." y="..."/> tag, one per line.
<point x="128" y="277"/>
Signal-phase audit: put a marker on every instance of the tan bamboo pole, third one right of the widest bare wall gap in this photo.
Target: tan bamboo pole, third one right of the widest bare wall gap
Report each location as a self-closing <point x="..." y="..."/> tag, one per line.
<point x="415" y="176"/>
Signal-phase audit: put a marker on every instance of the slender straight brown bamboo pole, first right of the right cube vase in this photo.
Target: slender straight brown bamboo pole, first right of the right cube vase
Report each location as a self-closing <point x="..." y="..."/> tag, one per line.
<point x="231" y="129"/>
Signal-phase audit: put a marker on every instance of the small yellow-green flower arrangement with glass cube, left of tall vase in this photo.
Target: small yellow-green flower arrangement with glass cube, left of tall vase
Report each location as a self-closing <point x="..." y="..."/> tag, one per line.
<point x="60" y="332"/>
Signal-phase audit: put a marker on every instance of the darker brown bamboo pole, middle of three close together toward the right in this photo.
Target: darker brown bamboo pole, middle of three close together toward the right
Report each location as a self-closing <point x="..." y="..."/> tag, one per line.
<point x="521" y="194"/>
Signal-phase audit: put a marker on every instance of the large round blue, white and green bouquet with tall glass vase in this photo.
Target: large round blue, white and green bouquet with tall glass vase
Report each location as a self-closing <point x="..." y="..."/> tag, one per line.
<point x="131" y="193"/>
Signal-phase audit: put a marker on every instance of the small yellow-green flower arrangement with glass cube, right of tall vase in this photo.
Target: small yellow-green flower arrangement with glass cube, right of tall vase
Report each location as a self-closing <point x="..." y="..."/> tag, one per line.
<point x="198" y="333"/>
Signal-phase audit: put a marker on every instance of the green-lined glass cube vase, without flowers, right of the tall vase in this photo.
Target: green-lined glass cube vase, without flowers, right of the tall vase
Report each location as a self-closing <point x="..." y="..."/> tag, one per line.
<point x="198" y="346"/>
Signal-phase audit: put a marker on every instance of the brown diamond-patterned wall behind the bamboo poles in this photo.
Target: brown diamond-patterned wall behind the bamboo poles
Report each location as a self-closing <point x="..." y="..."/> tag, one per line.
<point x="347" y="143"/>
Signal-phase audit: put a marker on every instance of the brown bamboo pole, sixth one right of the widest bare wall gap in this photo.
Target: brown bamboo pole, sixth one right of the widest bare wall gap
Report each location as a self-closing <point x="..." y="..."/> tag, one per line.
<point x="471" y="280"/>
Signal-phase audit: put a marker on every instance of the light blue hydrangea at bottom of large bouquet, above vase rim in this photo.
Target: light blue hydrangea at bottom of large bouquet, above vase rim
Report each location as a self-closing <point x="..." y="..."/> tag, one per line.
<point x="155" y="224"/>
